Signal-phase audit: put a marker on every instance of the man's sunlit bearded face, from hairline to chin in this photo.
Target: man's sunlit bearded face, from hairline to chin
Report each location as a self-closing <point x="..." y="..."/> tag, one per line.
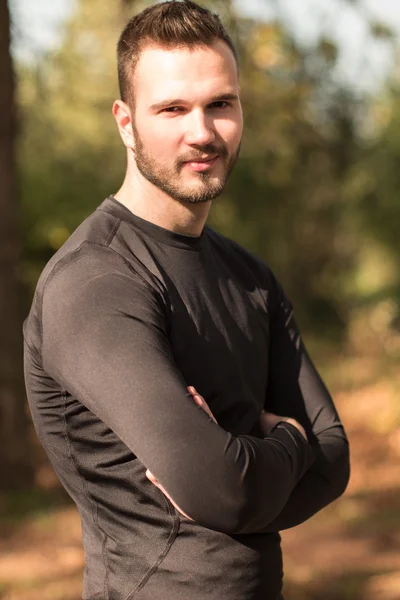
<point x="187" y="120"/>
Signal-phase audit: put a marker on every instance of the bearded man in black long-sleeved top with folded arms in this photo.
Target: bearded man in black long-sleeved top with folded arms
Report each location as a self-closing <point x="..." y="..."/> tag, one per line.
<point x="159" y="354"/>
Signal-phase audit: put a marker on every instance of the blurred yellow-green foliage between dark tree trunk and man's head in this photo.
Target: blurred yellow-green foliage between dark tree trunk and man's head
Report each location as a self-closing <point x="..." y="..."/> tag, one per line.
<point x="70" y="155"/>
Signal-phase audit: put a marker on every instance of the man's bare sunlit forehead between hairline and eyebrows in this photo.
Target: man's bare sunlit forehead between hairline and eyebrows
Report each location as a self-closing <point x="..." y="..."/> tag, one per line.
<point x="184" y="72"/>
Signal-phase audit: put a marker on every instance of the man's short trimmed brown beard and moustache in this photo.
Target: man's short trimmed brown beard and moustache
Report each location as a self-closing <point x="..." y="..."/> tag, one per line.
<point x="170" y="180"/>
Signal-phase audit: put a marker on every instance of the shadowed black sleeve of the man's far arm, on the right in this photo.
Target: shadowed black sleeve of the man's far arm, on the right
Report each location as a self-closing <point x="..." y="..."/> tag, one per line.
<point x="296" y="390"/>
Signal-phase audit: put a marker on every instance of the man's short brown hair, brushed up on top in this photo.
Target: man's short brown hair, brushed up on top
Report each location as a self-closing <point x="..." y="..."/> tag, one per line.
<point x="177" y="23"/>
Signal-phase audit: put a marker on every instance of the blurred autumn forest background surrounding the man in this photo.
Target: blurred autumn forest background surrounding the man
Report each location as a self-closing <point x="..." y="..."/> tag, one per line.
<point x="315" y="194"/>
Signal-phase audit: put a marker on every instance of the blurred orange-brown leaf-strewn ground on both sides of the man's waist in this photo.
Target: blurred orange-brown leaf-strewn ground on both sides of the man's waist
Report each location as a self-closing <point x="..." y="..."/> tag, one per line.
<point x="351" y="550"/>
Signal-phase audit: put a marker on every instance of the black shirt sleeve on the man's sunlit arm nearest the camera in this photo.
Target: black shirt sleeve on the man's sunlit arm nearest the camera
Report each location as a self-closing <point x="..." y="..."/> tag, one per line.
<point x="105" y="341"/>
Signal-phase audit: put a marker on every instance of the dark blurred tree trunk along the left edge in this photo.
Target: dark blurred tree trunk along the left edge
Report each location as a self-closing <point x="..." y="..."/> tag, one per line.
<point x="15" y="455"/>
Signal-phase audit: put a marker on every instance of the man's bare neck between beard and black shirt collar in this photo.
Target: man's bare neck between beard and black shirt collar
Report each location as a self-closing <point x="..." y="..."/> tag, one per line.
<point x="152" y="204"/>
